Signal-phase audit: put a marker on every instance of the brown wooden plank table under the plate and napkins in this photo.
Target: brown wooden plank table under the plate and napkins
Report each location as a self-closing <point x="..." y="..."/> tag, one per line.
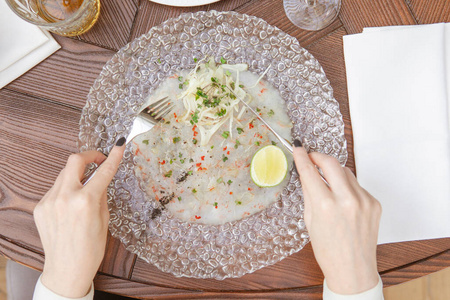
<point x="40" y="111"/>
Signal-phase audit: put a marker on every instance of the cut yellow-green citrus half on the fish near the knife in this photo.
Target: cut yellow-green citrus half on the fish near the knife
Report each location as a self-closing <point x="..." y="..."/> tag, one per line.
<point x="269" y="166"/>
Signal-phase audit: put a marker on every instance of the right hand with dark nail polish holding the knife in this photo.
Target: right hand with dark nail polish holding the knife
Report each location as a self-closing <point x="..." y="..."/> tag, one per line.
<point x="342" y="220"/>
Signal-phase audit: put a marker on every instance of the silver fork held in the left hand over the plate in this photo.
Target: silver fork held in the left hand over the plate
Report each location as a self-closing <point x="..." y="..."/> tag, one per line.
<point x="144" y="121"/>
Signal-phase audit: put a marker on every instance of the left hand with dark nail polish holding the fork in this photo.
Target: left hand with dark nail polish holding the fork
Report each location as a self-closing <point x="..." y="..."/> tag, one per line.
<point x="72" y="221"/>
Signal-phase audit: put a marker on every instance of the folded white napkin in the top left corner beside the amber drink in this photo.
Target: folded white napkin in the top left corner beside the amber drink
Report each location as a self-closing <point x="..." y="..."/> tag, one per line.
<point x="22" y="45"/>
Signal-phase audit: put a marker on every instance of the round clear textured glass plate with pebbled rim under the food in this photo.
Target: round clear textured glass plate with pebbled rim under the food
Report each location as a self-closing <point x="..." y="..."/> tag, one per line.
<point x="196" y="250"/>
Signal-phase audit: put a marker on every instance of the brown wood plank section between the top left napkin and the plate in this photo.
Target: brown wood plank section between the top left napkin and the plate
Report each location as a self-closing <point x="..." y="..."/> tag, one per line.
<point x="67" y="75"/>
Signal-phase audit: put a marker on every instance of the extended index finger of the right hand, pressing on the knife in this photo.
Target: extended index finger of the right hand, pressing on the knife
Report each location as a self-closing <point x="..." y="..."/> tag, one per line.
<point x="312" y="183"/>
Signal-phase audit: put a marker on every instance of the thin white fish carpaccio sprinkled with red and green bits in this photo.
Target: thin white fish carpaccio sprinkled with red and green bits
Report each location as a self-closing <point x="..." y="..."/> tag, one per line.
<point x="210" y="184"/>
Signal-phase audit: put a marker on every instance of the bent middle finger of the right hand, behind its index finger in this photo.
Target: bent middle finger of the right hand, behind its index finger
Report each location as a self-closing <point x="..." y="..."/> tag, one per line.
<point x="332" y="170"/>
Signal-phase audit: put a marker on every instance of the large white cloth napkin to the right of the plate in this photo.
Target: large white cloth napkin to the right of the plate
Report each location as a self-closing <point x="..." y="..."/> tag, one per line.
<point x="399" y="93"/>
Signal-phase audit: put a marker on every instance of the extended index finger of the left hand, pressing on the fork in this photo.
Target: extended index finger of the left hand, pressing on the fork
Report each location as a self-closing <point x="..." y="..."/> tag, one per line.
<point x="108" y="169"/>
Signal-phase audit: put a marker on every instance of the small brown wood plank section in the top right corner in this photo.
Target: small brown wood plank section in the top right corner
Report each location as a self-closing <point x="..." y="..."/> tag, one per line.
<point x="430" y="11"/>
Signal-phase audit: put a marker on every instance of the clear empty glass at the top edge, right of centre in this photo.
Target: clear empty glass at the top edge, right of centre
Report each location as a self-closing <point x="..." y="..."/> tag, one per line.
<point x="312" y="14"/>
